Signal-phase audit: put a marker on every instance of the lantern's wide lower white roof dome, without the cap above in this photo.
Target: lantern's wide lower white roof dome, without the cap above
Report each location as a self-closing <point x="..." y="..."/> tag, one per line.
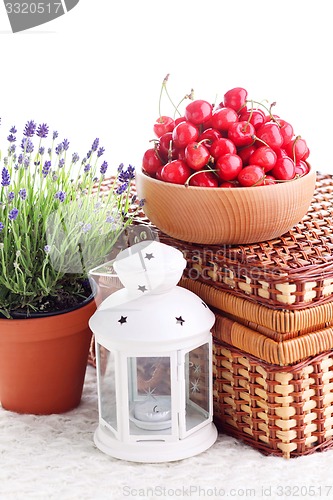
<point x="172" y="317"/>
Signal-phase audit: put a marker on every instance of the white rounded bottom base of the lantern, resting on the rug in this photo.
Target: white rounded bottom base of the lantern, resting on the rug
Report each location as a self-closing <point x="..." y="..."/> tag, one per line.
<point x="156" y="451"/>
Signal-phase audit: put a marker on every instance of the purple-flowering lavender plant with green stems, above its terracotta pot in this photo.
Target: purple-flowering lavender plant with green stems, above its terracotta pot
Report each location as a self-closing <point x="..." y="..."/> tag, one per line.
<point x="56" y="220"/>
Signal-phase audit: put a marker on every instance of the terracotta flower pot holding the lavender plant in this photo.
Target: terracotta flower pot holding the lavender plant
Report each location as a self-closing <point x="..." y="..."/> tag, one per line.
<point x="43" y="361"/>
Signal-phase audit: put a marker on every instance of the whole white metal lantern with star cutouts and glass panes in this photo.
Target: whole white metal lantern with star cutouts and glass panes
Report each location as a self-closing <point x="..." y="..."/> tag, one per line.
<point x="154" y="361"/>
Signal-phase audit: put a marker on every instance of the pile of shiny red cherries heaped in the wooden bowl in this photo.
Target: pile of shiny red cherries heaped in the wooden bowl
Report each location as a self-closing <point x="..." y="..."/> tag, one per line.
<point x="237" y="143"/>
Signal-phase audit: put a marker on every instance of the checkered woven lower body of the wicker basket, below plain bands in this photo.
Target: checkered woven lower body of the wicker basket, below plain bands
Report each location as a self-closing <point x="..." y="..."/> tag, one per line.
<point x="280" y="411"/>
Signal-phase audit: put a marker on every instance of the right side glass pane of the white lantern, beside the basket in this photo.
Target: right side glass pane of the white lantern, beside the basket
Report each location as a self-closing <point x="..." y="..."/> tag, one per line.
<point x="197" y="366"/>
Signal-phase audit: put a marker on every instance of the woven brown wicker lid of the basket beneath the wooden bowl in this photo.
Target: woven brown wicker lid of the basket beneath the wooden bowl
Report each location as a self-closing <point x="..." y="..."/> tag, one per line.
<point x="290" y="272"/>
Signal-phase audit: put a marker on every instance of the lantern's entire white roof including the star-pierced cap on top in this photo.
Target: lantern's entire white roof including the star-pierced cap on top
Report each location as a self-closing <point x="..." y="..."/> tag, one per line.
<point x="151" y="310"/>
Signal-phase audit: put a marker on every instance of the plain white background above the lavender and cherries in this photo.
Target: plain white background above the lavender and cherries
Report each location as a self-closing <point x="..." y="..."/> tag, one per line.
<point x="97" y="71"/>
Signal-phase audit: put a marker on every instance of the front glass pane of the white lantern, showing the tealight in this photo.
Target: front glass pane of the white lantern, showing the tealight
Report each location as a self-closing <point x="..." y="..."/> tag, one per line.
<point x="149" y="395"/>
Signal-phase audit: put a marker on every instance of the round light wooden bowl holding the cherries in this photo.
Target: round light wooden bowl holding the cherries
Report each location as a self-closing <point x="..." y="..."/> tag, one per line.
<point x="225" y="215"/>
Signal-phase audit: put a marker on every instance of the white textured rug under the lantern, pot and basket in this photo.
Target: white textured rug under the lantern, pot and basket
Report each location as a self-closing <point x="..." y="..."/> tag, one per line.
<point x="54" y="457"/>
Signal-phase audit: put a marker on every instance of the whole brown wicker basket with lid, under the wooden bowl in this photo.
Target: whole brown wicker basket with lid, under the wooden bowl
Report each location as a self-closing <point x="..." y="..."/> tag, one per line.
<point x="273" y="336"/>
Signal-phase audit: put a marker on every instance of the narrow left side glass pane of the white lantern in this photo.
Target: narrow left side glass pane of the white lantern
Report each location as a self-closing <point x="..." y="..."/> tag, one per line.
<point x="108" y="404"/>
